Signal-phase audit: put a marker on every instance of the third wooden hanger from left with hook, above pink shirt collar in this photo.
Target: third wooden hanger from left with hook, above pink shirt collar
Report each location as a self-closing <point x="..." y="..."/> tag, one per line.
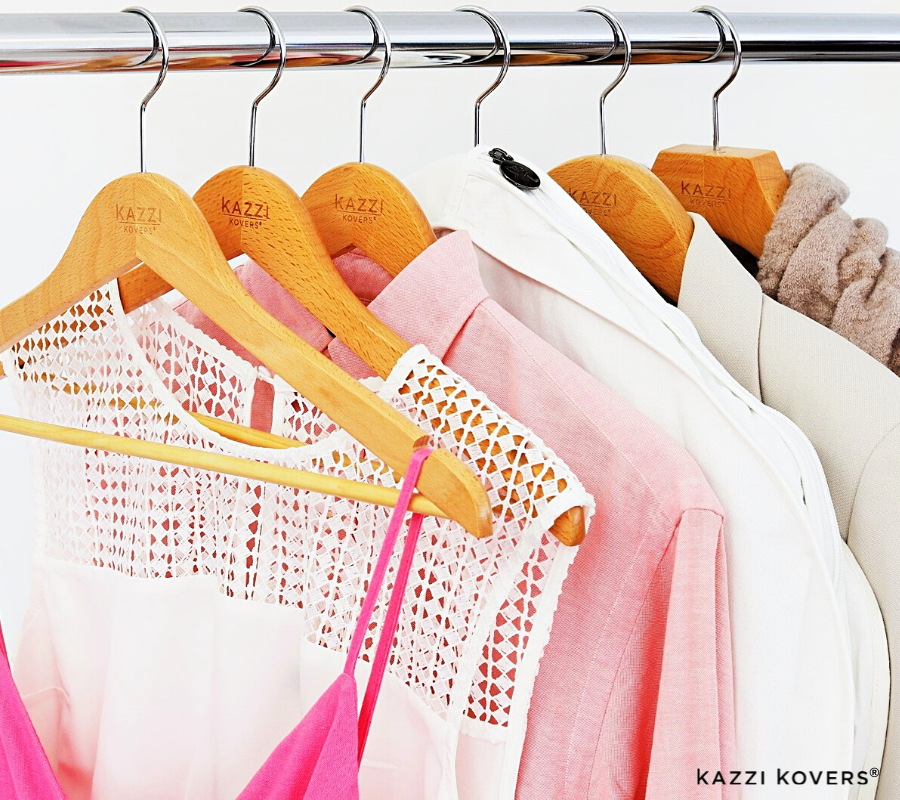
<point x="362" y="205"/>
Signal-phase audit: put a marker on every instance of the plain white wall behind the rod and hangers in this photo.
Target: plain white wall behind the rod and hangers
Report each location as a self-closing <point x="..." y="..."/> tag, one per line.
<point x="62" y="137"/>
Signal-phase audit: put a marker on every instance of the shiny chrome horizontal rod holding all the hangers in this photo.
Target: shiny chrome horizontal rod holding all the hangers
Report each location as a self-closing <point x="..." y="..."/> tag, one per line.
<point x="34" y="43"/>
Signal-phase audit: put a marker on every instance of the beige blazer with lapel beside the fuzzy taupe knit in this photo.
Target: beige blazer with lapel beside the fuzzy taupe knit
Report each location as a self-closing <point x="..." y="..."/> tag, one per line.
<point x="845" y="401"/>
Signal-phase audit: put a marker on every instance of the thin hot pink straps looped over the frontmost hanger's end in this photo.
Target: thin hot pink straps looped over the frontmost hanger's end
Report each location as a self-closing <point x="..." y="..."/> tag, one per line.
<point x="394" y="606"/>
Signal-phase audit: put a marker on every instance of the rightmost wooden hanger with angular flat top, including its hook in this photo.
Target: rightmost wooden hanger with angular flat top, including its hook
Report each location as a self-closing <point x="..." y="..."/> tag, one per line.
<point x="737" y="189"/>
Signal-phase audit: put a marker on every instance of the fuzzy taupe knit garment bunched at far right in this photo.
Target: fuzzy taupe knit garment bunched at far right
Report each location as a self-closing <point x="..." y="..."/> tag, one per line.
<point x="832" y="268"/>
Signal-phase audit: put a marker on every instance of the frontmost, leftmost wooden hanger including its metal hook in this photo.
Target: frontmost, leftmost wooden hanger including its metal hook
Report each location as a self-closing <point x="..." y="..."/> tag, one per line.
<point x="146" y="218"/>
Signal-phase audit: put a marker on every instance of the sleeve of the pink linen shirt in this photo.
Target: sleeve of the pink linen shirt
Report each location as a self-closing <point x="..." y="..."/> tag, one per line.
<point x="671" y="710"/>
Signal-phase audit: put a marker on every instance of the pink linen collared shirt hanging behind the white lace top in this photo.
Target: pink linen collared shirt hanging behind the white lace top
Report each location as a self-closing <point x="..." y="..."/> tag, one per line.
<point x="634" y="697"/>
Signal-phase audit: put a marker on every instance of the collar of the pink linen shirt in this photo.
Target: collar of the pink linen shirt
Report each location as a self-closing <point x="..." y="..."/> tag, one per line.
<point x="428" y="303"/>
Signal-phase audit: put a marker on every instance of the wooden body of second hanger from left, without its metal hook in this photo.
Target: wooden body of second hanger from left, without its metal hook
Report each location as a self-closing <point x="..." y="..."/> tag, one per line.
<point x="253" y="212"/>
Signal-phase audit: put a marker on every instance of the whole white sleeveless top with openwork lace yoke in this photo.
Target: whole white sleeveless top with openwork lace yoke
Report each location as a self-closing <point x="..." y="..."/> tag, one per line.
<point x="477" y="613"/>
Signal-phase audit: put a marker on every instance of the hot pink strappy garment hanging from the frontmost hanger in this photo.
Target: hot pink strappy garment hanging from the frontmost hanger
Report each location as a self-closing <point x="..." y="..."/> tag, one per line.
<point x="318" y="760"/>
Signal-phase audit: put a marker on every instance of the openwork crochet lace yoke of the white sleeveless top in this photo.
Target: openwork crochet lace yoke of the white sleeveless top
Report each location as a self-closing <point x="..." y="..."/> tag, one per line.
<point x="471" y="605"/>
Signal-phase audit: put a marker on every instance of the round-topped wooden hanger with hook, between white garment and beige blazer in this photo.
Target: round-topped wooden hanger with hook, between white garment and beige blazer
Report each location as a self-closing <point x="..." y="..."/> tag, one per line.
<point x="634" y="207"/>
